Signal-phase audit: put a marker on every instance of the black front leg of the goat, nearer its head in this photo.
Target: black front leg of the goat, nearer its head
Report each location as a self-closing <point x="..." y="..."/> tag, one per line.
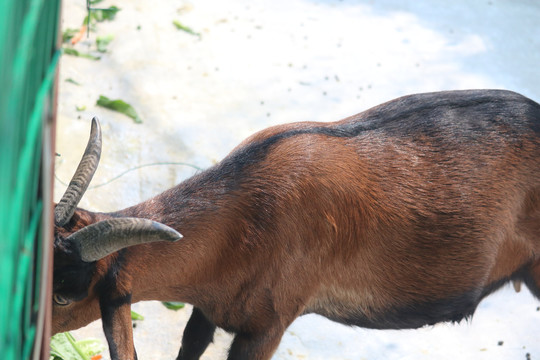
<point x="198" y="334"/>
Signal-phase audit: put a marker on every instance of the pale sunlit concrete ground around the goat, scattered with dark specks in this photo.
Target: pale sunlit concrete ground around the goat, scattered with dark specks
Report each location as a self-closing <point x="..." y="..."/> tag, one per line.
<point x="259" y="63"/>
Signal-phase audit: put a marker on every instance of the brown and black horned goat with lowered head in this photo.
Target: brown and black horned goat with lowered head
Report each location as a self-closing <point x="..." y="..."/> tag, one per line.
<point x="405" y="215"/>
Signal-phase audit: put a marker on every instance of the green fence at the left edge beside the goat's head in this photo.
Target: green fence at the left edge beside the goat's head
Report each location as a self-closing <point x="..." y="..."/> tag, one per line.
<point x="28" y="61"/>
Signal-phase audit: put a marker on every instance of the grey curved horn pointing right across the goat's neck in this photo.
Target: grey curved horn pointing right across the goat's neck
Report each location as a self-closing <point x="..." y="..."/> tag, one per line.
<point x="108" y="236"/>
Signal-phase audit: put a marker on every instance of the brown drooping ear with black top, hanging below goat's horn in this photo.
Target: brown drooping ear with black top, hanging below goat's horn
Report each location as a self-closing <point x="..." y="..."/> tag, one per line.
<point x="117" y="326"/>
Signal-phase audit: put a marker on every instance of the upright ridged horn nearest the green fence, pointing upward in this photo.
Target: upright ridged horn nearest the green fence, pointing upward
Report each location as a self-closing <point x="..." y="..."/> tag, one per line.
<point x="79" y="183"/>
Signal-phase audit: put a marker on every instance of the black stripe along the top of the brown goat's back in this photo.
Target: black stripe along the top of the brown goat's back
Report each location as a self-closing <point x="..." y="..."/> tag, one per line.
<point x="445" y="118"/>
